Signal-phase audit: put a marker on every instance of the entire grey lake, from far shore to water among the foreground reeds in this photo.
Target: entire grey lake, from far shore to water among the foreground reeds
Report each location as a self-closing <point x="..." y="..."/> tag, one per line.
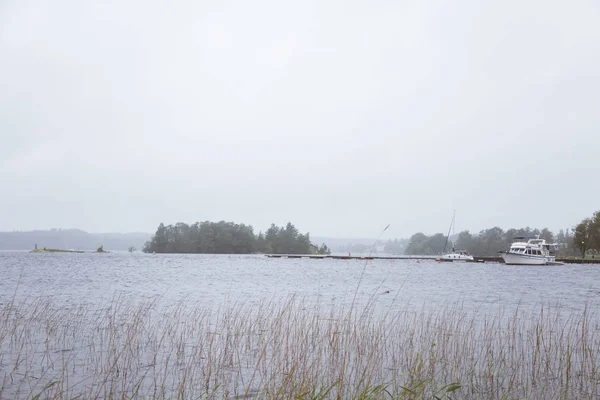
<point x="73" y="318"/>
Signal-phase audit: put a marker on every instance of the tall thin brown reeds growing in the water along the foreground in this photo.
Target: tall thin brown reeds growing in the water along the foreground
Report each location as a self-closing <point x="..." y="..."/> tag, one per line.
<point x="294" y="349"/>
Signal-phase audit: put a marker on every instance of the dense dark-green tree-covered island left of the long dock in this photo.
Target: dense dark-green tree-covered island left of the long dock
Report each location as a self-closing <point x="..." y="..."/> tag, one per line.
<point x="230" y="238"/>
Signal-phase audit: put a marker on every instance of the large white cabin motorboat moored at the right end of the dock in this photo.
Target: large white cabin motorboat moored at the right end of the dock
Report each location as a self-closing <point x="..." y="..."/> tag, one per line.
<point x="530" y="250"/>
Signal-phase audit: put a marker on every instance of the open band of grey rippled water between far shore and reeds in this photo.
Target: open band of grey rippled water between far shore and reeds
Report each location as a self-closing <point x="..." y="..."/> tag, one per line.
<point x="96" y="278"/>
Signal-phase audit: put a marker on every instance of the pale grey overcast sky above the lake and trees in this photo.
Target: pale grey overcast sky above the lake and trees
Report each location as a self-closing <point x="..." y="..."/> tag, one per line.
<point x="340" y="116"/>
